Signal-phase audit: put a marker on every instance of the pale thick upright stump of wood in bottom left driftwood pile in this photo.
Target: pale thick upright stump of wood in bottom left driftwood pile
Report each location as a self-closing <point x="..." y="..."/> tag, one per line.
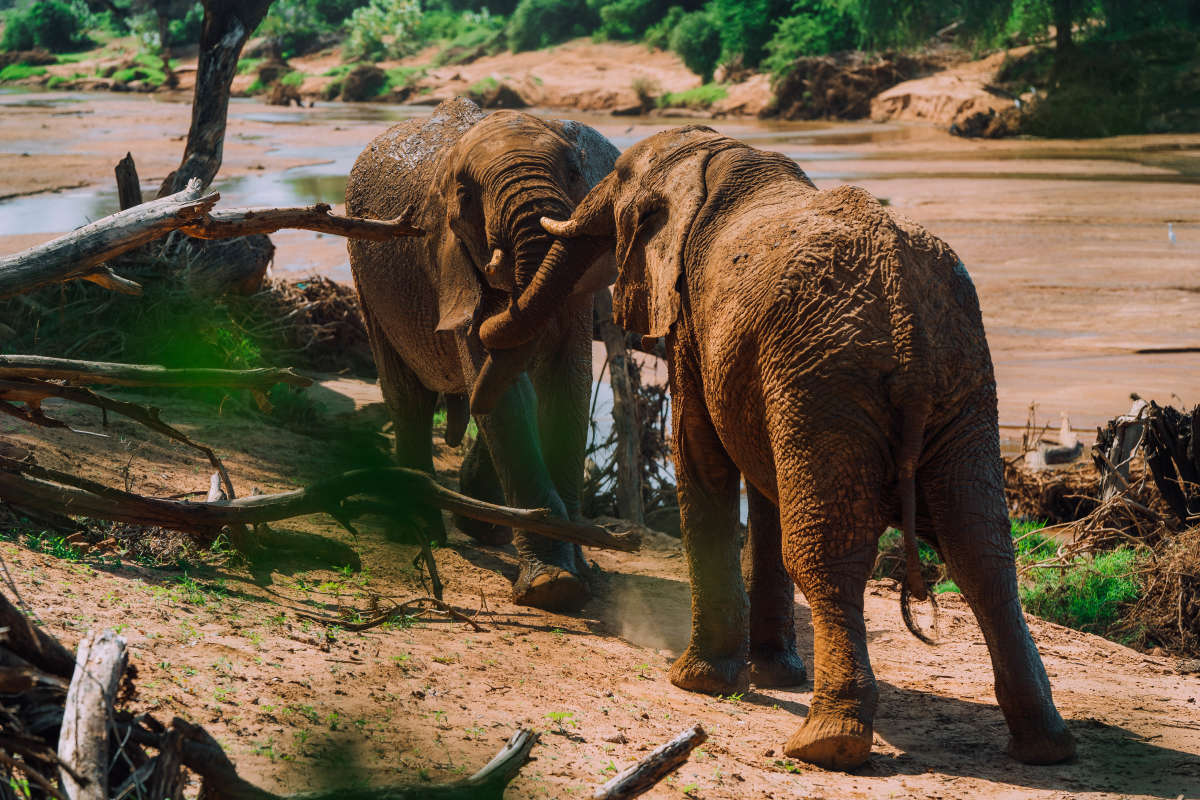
<point x="83" y="738"/>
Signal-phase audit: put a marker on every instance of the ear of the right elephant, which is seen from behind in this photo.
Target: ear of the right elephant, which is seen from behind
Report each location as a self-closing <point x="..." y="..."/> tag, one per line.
<point x="652" y="232"/>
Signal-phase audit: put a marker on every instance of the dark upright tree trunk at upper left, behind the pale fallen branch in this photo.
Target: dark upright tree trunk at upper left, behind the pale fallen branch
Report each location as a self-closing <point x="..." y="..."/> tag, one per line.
<point x="227" y="26"/>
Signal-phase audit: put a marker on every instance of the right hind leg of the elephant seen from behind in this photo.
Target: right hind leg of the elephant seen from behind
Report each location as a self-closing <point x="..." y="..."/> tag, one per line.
<point x="965" y="495"/>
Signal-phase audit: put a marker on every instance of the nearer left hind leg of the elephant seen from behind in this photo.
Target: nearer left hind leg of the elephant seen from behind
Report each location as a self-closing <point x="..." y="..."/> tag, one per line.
<point x="830" y="502"/>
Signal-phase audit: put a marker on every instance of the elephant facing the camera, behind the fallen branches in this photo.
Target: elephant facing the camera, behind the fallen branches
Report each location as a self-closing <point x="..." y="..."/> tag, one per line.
<point x="478" y="184"/>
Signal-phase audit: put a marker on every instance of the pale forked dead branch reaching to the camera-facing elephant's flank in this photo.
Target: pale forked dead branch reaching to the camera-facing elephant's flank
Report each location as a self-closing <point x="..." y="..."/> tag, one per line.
<point x="80" y="254"/>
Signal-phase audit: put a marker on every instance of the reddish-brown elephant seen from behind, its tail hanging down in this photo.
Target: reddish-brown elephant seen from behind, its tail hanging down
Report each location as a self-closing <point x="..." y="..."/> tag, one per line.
<point x="832" y="356"/>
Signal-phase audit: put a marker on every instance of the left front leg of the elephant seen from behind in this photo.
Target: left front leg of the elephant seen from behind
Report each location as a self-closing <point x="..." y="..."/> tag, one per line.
<point x="716" y="659"/>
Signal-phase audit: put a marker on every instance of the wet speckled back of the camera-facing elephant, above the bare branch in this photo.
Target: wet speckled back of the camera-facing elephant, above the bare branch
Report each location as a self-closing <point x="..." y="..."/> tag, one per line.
<point x="397" y="170"/>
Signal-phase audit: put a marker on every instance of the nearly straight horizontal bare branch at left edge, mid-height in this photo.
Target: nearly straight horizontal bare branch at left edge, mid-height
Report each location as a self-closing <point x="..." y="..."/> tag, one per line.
<point x="87" y="374"/>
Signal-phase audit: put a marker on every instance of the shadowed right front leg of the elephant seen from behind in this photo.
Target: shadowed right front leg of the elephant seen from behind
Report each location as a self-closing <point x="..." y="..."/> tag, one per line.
<point x="773" y="657"/>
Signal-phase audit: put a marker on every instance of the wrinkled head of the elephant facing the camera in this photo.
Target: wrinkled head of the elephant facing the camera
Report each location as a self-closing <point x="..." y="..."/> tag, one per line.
<point x="497" y="183"/>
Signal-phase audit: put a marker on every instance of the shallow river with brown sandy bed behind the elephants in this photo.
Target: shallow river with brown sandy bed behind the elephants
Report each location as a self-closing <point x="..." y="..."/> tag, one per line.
<point x="1087" y="255"/>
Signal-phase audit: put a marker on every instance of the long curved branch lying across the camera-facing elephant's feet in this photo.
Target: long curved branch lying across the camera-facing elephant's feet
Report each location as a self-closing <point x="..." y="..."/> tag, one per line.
<point x="395" y="489"/>
